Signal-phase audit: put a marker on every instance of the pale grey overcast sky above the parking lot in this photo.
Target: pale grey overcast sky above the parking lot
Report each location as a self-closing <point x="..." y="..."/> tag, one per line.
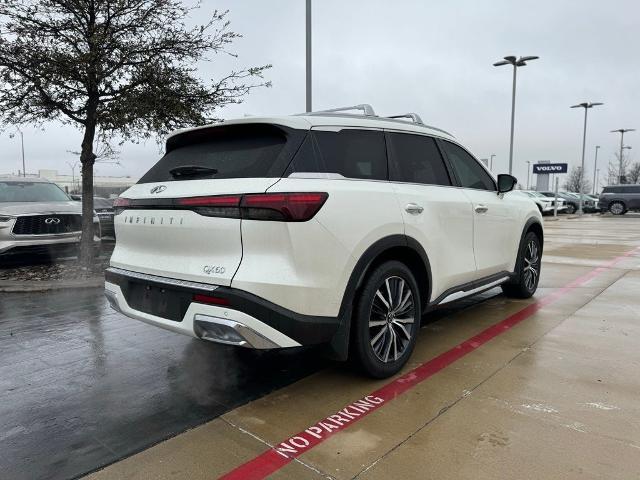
<point x="430" y="57"/>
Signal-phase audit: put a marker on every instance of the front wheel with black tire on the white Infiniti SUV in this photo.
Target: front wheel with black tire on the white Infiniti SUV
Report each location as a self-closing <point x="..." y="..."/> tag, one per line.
<point x="527" y="269"/>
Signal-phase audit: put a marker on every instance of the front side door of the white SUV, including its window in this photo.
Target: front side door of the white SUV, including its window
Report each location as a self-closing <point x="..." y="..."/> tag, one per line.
<point x="495" y="222"/>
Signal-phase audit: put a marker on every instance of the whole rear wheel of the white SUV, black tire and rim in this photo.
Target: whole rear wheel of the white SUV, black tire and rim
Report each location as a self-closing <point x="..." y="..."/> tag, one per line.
<point x="384" y="332"/>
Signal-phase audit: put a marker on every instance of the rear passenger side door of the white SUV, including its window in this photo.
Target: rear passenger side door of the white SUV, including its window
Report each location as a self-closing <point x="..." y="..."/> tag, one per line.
<point x="436" y="214"/>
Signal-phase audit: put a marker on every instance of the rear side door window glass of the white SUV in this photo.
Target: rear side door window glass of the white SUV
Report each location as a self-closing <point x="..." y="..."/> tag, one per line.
<point x="415" y="159"/>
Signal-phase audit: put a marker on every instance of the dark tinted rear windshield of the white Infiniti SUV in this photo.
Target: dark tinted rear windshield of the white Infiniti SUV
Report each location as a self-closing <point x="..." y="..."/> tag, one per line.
<point x="232" y="151"/>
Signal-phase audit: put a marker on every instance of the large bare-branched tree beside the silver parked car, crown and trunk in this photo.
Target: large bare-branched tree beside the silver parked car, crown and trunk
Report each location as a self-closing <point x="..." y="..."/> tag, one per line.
<point x="121" y="67"/>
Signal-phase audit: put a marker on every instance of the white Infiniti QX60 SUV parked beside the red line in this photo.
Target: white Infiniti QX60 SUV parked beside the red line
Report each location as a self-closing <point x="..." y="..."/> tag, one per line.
<point x="324" y="227"/>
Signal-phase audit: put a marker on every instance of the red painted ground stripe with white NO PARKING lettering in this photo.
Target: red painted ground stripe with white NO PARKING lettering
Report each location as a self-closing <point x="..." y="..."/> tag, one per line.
<point x="275" y="458"/>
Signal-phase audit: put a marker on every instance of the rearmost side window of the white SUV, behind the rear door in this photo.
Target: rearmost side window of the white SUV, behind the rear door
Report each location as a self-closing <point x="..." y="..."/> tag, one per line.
<point x="351" y="153"/>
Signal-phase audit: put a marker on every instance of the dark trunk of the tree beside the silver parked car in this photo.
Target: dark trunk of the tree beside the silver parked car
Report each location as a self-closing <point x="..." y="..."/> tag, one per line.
<point x="87" y="159"/>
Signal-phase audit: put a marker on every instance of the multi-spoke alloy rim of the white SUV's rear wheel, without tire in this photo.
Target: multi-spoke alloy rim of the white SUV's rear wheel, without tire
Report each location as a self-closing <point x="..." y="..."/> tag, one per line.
<point x="391" y="319"/>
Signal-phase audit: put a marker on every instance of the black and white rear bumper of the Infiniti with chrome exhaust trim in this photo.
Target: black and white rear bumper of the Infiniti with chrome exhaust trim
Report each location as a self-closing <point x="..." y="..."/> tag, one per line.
<point x="256" y="322"/>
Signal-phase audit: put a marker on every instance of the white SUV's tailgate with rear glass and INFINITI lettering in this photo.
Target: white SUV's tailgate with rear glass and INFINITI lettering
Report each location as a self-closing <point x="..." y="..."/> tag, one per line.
<point x="182" y="219"/>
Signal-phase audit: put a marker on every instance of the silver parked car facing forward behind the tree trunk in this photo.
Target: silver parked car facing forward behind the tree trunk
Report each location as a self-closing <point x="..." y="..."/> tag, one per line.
<point x="38" y="218"/>
